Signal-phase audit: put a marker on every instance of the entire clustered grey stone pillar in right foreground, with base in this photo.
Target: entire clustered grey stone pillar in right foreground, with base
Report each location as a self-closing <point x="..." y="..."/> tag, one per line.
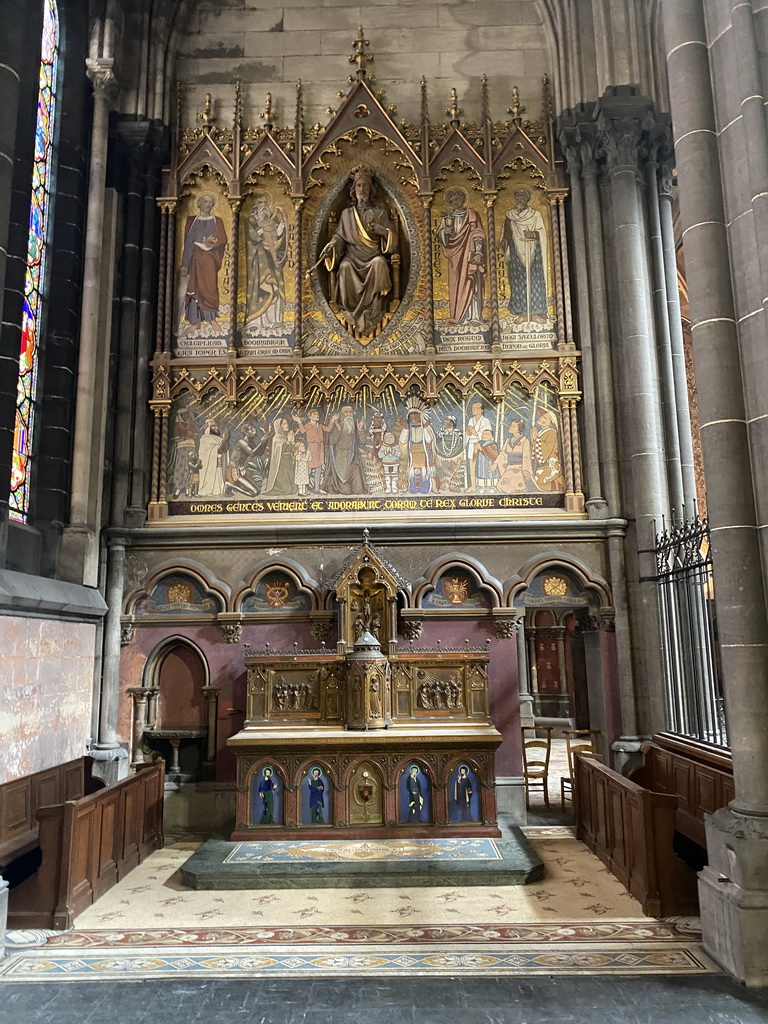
<point x="722" y="164"/>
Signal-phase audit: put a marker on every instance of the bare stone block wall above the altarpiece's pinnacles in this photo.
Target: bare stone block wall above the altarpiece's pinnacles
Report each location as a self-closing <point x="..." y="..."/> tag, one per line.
<point x="269" y="48"/>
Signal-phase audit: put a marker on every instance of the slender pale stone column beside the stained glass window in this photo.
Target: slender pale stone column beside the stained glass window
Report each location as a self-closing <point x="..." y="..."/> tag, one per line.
<point x="79" y="561"/>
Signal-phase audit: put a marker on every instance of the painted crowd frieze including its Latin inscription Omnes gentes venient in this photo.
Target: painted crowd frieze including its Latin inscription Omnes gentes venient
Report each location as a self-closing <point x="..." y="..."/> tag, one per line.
<point x="365" y="454"/>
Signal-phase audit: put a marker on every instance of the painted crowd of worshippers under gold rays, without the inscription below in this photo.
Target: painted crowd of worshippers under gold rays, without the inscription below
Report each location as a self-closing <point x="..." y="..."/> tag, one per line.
<point x="415" y="451"/>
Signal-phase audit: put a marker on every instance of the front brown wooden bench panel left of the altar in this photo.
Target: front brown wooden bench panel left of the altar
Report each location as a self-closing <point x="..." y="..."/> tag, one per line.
<point x="89" y="845"/>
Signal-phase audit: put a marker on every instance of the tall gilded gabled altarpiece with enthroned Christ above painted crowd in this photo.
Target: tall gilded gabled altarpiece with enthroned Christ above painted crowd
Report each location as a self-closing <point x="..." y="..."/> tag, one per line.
<point x="365" y="317"/>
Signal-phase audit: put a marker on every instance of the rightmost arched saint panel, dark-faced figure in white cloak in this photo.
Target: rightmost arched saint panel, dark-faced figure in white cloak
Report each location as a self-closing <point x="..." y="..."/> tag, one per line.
<point x="527" y="281"/>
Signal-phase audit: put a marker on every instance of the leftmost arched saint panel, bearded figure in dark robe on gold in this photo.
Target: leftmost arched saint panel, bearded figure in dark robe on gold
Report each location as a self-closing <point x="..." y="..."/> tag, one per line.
<point x="201" y="312"/>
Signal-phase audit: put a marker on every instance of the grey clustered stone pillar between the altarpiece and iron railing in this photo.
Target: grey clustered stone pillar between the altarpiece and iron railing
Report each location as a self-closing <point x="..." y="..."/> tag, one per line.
<point x="629" y="315"/>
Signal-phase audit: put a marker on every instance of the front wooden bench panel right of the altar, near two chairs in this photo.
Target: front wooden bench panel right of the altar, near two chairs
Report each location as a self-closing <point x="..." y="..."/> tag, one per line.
<point x="631" y="830"/>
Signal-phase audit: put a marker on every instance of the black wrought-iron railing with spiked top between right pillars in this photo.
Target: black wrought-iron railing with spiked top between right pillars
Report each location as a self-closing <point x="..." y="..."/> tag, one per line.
<point x="690" y="639"/>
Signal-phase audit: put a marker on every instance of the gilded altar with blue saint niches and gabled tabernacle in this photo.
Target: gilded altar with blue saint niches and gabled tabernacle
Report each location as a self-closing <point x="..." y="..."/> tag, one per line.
<point x="363" y="741"/>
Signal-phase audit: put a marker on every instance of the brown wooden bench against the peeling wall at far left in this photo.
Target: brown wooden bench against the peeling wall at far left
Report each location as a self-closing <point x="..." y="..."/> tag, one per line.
<point x="21" y="799"/>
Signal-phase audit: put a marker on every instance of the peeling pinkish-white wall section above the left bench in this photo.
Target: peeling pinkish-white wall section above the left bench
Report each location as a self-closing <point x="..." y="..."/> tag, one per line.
<point x="46" y="698"/>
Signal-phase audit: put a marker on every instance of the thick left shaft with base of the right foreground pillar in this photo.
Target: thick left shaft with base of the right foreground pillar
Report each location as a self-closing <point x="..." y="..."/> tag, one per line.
<point x="734" y="888"/>
